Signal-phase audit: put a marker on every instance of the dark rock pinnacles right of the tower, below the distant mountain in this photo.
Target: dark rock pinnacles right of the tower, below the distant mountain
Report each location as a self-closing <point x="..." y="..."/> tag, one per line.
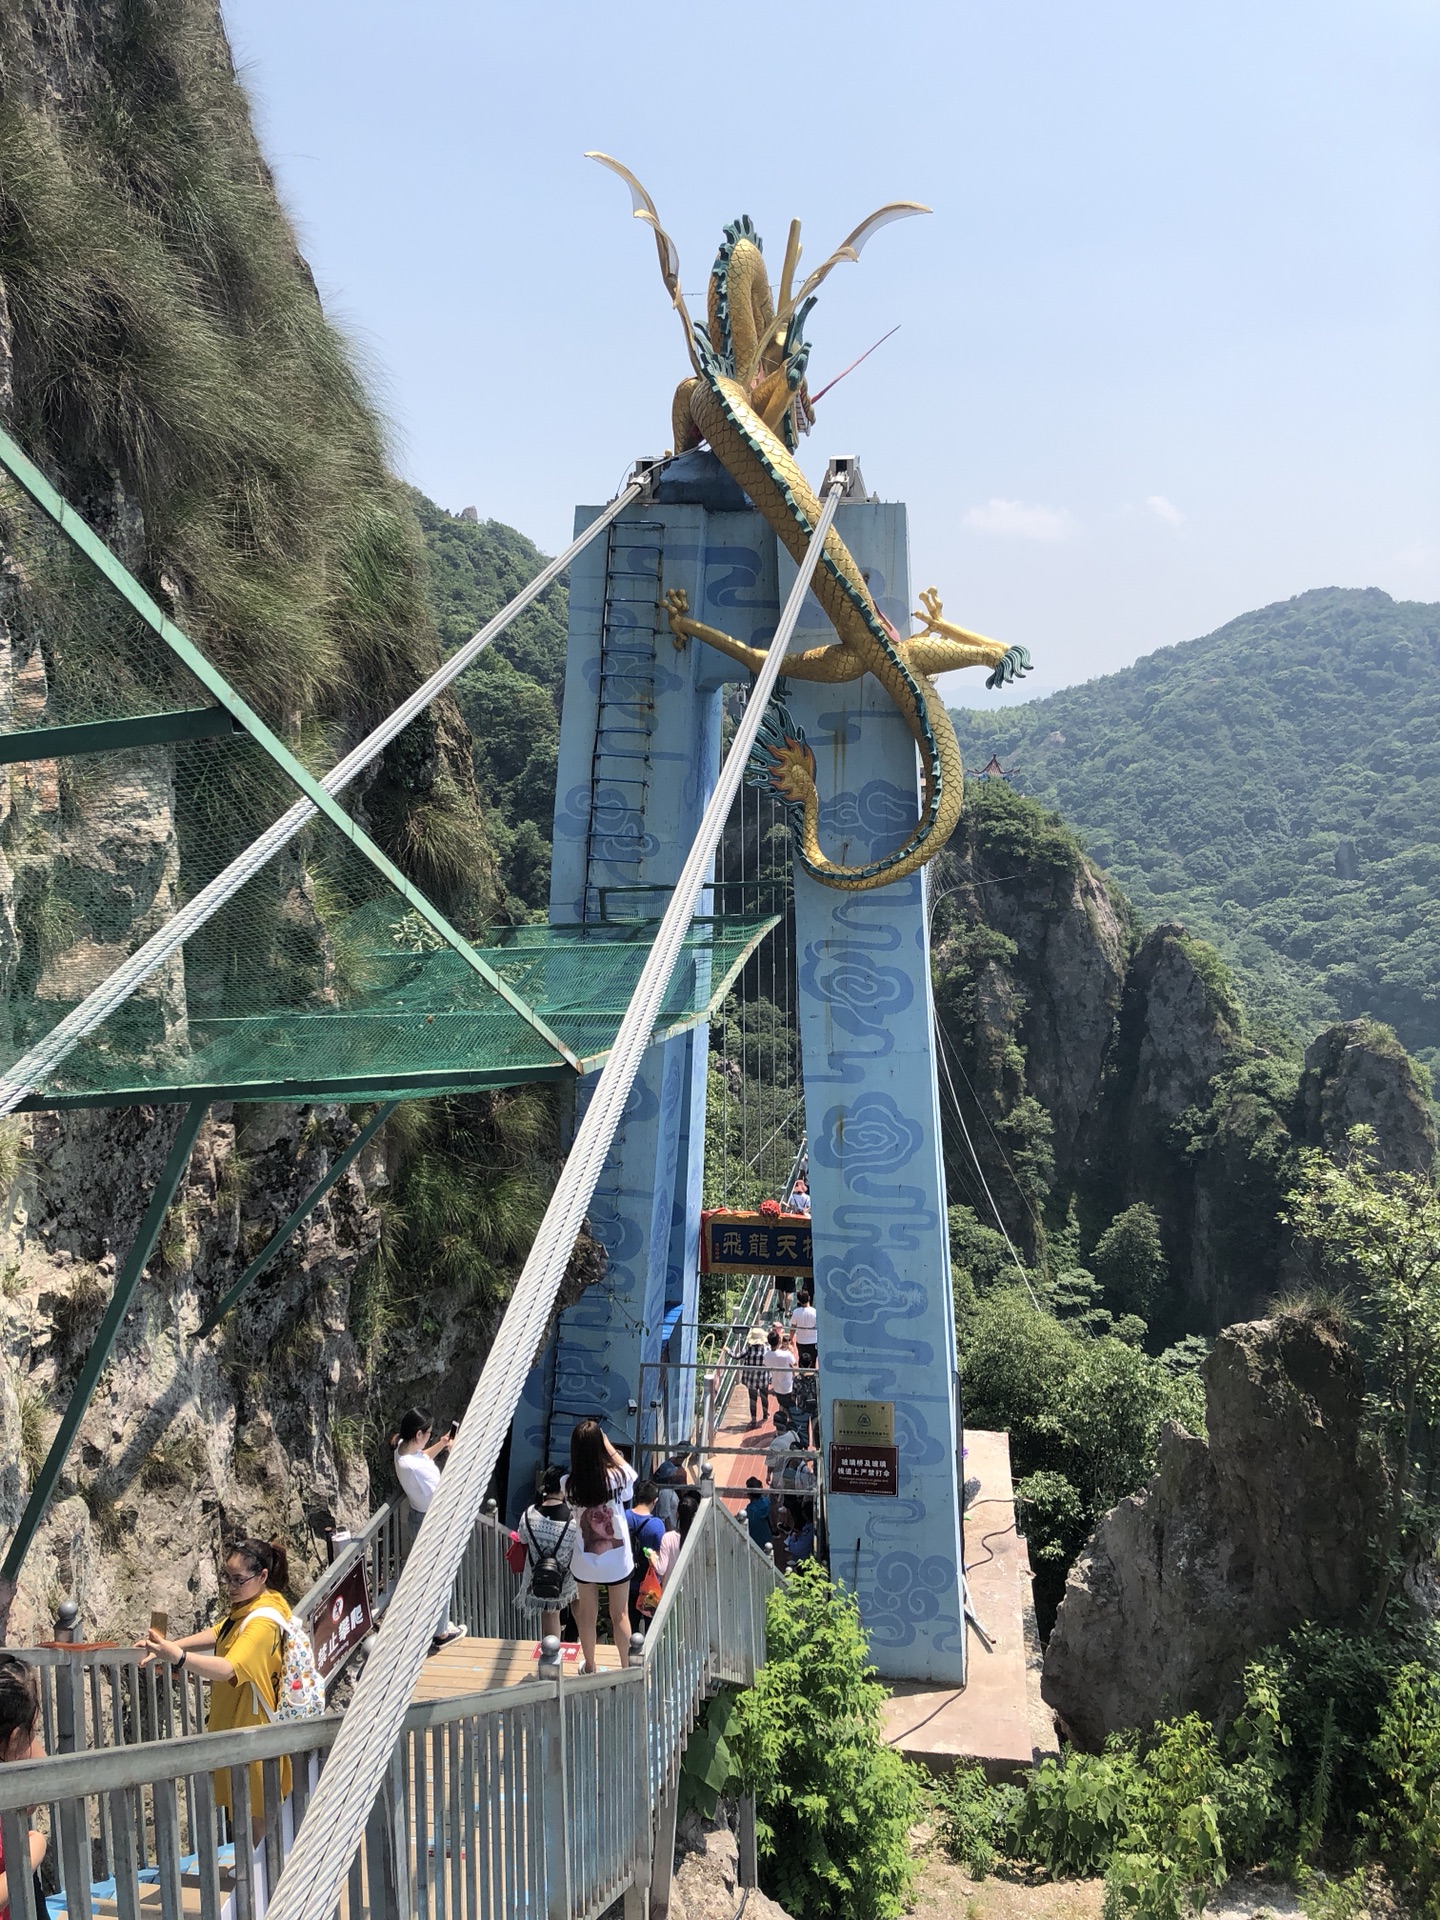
<point x="1103" y="1068"/>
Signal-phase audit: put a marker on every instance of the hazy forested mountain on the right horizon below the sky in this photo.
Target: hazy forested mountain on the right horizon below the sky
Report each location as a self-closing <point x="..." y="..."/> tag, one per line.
<point x="1278" y="788"/>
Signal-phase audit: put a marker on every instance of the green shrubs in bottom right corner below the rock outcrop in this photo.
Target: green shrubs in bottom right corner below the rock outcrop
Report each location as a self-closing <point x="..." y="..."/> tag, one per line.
<point x="1333" y="1765"/>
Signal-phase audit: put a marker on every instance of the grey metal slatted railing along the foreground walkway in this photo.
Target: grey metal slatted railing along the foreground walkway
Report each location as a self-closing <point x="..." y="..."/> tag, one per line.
<point x="535" y="1802"/>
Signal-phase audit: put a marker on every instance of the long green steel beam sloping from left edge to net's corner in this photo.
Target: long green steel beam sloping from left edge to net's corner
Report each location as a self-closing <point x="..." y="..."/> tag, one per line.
<point x="82" y="535"/>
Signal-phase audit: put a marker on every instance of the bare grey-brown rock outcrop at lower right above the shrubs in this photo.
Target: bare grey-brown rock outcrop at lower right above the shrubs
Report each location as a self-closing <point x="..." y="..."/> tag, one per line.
<point x="1236" y="1541"/>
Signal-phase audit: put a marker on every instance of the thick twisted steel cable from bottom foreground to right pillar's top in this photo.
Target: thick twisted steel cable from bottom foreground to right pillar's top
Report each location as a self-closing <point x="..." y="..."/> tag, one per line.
<point x="335" y="1821"/>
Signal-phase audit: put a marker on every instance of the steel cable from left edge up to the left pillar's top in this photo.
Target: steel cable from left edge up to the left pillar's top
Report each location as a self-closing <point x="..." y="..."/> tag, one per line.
<point x="47" y="1055"/>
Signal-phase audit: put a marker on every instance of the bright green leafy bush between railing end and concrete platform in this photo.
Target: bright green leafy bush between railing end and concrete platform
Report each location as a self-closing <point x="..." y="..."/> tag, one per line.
<point x="834" y="1802"/>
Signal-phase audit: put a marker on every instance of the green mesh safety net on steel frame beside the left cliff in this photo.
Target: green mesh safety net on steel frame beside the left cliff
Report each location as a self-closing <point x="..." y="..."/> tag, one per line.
<point x="126" y="790"/>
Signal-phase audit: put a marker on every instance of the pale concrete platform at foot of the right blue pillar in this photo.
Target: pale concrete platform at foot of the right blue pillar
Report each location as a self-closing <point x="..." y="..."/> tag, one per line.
<point x="997" y="1717"/>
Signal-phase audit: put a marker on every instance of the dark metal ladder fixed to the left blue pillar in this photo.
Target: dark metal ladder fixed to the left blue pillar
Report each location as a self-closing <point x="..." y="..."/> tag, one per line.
<point x="625" y="717"/>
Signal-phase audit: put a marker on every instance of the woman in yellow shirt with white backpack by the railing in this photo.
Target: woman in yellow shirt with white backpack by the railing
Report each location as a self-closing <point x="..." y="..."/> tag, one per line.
<point x="243" y="1656"/>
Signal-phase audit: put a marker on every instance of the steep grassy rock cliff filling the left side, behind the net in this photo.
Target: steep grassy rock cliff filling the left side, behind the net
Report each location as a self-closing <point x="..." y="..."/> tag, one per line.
<point x="164" y="358"/>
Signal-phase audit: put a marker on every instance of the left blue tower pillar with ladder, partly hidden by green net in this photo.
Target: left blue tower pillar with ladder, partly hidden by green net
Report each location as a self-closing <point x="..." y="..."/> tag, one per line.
<point x="640" y="750"/>
